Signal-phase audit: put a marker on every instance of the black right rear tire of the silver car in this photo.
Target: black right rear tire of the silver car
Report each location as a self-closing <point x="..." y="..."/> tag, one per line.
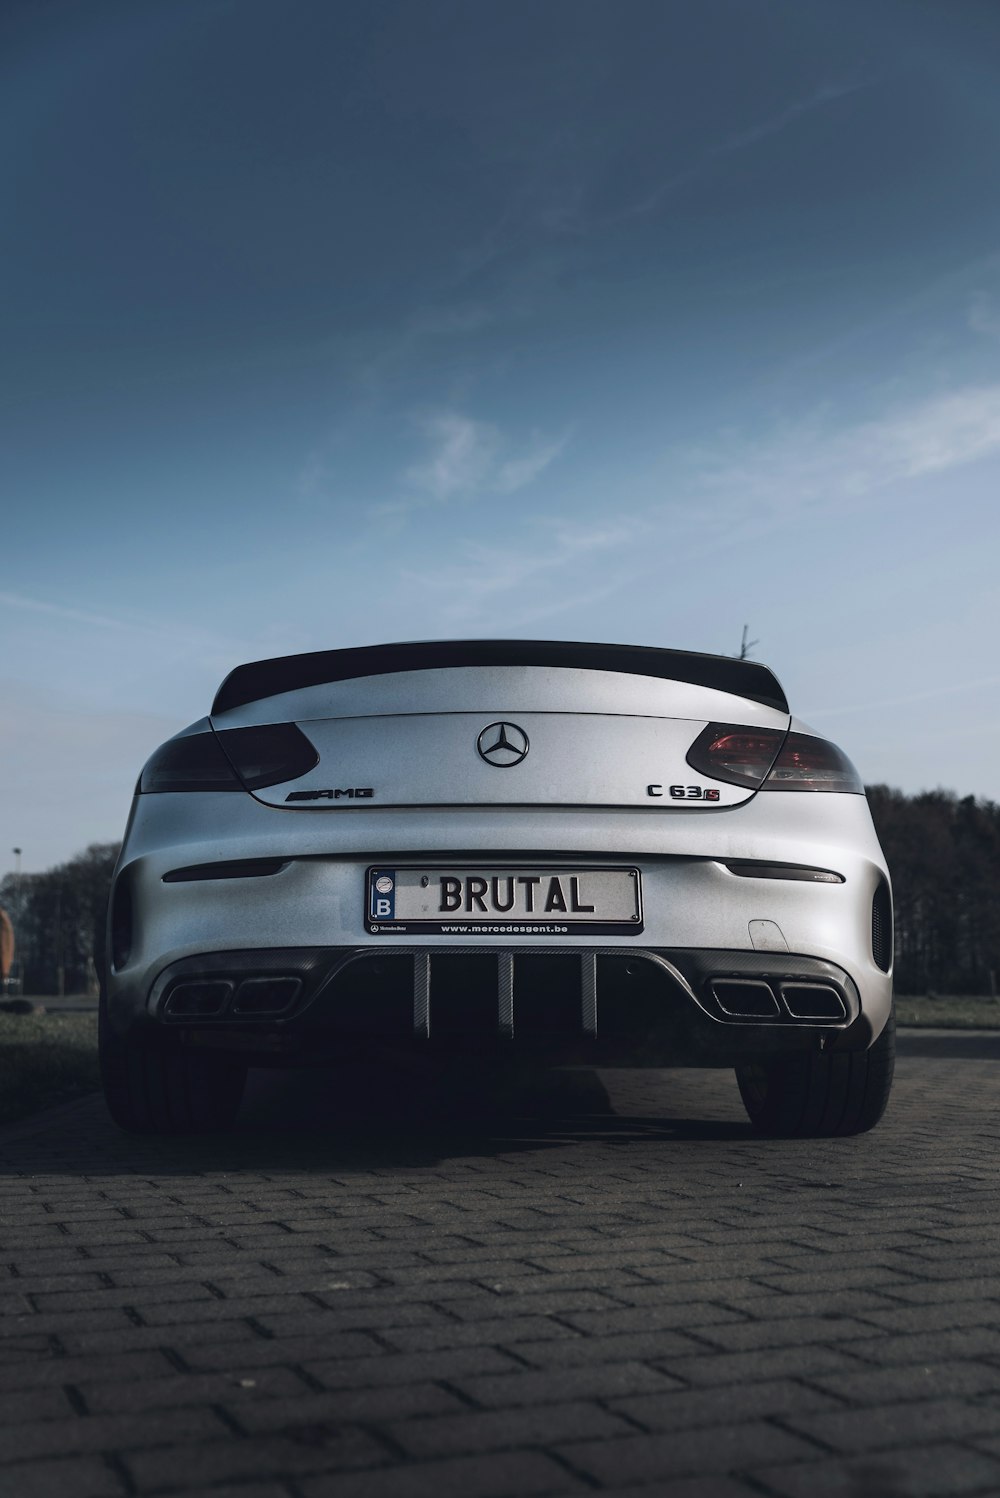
<point x="821" y="1096"/>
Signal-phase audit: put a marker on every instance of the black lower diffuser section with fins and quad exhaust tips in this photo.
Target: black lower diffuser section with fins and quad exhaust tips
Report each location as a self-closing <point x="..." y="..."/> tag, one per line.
<point x="598" y="1006"/>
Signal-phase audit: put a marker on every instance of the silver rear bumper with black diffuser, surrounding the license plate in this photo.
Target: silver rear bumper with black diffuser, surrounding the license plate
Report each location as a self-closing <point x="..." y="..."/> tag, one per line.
<point x="269" y="889"/>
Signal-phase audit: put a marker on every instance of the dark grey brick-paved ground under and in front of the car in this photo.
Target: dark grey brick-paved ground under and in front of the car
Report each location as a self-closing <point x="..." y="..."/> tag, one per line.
<point x="612" y="1291"/>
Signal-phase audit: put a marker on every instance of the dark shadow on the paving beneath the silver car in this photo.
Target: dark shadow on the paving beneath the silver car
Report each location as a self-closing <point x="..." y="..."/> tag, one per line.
<point x="353" y="1123"/>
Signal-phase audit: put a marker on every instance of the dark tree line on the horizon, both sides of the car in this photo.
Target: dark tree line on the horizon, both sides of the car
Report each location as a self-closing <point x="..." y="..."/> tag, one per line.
<point x="944" y="855"/>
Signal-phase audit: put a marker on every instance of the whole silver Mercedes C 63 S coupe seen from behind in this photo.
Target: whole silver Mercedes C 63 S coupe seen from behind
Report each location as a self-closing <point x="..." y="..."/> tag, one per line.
<point x="577" y="853"/>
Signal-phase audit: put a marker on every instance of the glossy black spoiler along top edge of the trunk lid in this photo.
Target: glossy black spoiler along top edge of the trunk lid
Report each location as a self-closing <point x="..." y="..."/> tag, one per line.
<point x="260" y="679"/>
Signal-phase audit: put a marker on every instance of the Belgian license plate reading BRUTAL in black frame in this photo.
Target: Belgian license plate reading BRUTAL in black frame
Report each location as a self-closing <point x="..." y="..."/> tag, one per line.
<point x="463" y="901"/>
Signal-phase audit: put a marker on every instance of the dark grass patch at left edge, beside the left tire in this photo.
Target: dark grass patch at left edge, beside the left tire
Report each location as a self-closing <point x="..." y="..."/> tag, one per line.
<point x="46" y="1060"/>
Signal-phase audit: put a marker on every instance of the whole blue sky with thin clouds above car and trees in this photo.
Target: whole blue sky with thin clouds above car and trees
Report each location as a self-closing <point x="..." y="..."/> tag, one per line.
<point x="336" y="323"/>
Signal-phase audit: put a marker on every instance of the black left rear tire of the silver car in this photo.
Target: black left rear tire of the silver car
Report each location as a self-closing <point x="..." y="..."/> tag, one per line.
<point x="153" y="1087"/>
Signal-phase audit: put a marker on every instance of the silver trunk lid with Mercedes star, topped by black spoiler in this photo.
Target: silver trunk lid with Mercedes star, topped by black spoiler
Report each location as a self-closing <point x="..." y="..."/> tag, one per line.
<point x="508" y="735"/>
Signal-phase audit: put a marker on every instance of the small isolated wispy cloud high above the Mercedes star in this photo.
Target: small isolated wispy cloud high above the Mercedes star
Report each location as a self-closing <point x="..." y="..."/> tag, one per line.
<point x="466" y="458"/>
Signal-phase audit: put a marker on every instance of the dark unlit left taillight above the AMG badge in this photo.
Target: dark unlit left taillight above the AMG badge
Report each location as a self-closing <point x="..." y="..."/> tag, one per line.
<point x="231" y="760"/>
